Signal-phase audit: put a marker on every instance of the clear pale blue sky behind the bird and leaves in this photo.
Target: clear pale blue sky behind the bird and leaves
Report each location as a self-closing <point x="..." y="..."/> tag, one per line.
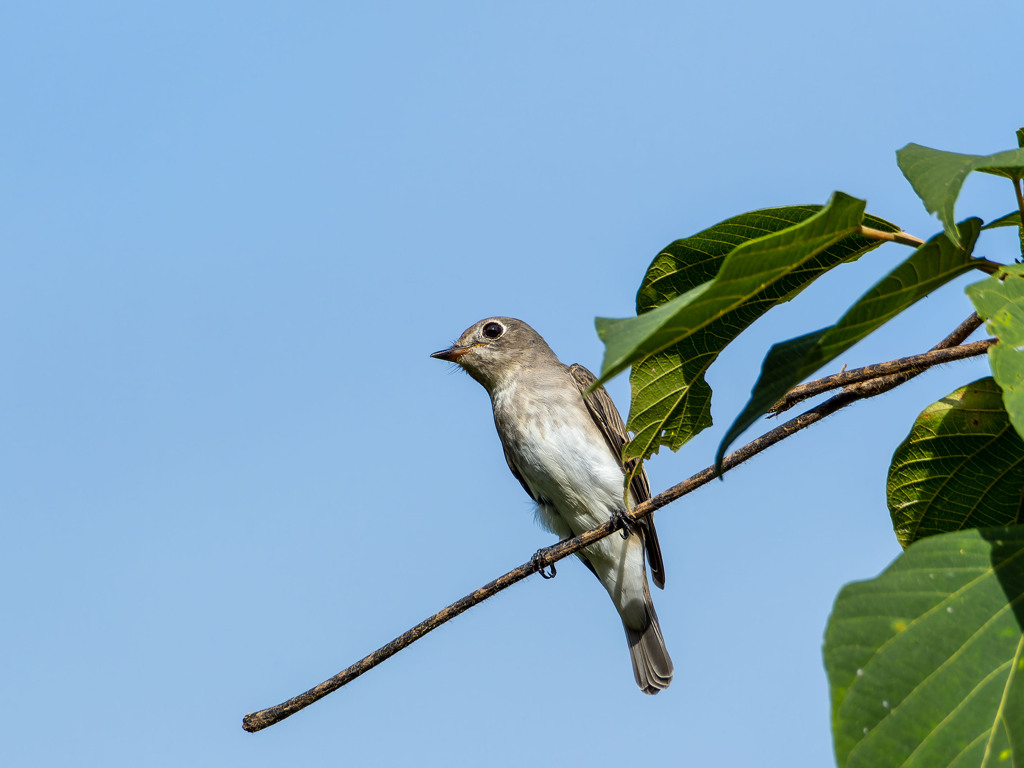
<point x="232" y="235"/>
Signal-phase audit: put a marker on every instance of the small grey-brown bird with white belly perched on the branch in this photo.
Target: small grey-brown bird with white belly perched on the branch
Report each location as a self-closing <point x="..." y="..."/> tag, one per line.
<point x="565" y="448"/>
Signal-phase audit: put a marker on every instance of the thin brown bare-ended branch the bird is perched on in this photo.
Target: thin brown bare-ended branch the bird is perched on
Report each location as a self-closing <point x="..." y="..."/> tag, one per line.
<point x="257" y="721"/>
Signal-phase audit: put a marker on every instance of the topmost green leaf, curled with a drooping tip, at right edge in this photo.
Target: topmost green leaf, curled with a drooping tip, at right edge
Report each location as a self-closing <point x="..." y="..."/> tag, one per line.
<point x="937" y="177"/>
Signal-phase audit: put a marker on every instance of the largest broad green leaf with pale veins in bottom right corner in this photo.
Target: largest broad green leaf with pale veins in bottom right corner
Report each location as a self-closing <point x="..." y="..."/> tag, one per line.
<point x="926" y="662"/>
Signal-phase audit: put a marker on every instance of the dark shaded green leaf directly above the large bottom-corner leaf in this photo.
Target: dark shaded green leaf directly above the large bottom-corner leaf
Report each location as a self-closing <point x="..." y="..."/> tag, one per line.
<point x="961" y="467"/>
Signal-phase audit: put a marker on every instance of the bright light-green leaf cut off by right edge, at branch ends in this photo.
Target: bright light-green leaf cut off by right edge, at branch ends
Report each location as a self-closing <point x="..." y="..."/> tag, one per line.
<point x="1001" y="302"/>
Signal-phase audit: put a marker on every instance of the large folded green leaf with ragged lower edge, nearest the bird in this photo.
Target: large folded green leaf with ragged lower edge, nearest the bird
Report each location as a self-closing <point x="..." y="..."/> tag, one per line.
<point x="721" y="280"/>
